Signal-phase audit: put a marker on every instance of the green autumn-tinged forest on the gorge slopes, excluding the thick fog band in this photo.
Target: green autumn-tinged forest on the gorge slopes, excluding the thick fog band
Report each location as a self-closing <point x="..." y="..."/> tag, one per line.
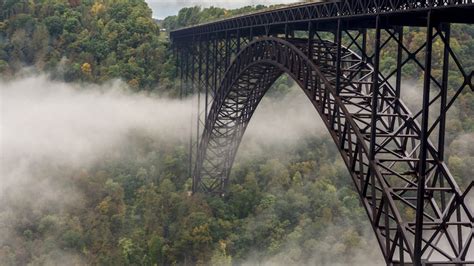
<point x="288" y="203"/>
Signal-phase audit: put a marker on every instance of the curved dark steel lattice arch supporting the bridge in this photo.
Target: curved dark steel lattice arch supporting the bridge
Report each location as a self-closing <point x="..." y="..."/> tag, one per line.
<point x="377" y="136"/>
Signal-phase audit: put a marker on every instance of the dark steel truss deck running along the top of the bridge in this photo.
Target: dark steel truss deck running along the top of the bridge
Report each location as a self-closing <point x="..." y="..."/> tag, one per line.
<point x="454" y="11"/>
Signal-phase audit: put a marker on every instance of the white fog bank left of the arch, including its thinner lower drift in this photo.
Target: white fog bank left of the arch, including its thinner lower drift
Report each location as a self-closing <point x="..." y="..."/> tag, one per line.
<point x="49" y="128"/>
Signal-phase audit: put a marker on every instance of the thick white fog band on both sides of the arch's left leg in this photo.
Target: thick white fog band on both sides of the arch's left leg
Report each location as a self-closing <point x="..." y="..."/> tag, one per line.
<point x="50" y="124"/>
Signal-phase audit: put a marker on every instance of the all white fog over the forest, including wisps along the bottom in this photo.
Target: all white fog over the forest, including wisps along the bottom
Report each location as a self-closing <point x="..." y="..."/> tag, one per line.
<point x="48" y="125"/>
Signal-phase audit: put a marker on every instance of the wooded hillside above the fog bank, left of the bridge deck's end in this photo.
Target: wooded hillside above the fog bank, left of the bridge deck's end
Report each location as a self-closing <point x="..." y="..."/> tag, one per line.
<point x="76" y="40"/>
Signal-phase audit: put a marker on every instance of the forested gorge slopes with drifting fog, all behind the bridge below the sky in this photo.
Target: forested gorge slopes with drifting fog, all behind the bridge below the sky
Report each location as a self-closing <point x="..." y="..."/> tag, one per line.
<point x="94" y="142"/>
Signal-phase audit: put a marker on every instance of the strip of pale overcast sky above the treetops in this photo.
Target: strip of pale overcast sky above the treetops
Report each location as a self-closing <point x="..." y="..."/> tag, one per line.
<point x="164" y="8"/>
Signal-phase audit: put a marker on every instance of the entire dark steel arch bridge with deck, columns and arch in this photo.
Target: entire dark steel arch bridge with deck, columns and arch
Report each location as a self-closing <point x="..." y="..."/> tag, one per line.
<point x="332" y="50"/>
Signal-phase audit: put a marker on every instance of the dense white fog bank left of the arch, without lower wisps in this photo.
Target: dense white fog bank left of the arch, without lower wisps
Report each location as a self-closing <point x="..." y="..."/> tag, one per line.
<point x="54" y="122"/>
